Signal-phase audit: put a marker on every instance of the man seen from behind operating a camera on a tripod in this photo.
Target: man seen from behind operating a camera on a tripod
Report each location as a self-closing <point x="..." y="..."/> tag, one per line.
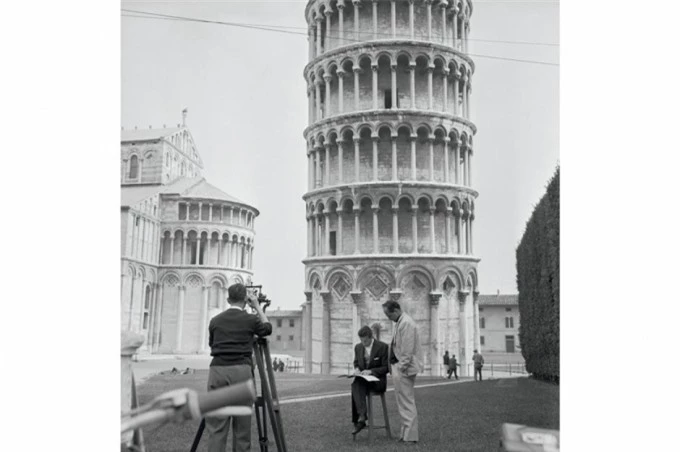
<point x="231" y="343"/>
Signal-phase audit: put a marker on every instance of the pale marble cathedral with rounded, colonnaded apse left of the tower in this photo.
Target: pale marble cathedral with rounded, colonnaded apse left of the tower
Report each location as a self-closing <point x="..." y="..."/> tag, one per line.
<point x="183" y="241"/>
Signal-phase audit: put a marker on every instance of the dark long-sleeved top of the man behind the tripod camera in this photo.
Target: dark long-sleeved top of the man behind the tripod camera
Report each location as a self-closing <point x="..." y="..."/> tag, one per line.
<point x="231" y="336"/>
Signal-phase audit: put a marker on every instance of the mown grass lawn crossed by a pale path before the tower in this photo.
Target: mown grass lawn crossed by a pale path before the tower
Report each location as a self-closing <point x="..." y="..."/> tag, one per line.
<point x="463" y="416"/>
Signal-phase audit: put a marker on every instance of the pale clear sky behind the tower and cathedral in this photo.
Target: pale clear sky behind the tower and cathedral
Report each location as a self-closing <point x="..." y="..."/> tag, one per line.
<point x="247" y="104"/>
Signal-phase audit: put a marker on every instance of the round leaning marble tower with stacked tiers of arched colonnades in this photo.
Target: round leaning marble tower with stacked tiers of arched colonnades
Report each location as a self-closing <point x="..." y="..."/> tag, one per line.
<point x="390" y="202"/>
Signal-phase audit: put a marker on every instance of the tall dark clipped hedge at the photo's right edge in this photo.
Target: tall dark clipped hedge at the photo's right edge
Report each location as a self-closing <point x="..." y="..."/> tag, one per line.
<point x="538" y="283"/>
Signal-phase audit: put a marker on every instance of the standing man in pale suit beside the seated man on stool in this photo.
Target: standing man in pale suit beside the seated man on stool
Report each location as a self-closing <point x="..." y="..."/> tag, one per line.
<point x="405" y="352"/>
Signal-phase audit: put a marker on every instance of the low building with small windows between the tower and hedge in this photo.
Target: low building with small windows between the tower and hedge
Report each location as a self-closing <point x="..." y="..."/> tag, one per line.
<point x="499" y="323"/>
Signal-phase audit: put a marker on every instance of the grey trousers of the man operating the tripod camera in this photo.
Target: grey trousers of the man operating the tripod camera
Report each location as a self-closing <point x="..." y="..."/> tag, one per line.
<point x="218" y="427"/>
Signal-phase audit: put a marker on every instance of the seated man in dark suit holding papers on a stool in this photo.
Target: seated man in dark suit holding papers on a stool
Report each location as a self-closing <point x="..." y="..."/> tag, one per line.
<point x="370" y="358"/>
